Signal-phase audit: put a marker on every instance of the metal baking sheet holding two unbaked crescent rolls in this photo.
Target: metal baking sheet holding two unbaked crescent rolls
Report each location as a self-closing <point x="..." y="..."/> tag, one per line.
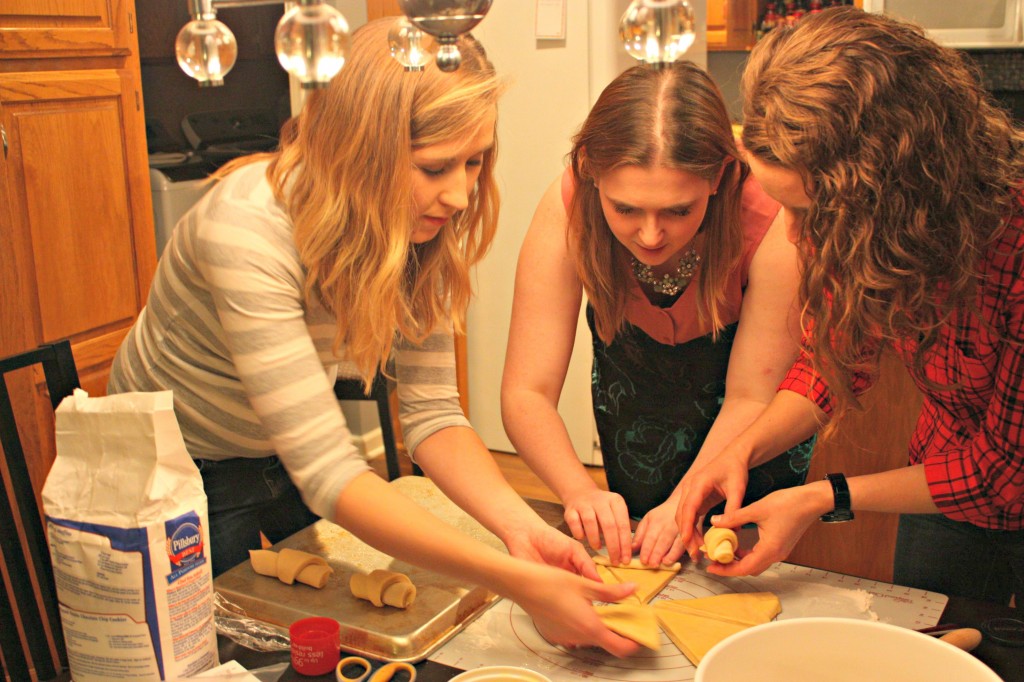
<point x="444" y="606"/>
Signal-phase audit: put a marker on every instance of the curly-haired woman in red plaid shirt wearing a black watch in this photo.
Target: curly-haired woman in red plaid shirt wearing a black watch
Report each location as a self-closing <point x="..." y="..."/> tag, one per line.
<point x="903" y="184"/>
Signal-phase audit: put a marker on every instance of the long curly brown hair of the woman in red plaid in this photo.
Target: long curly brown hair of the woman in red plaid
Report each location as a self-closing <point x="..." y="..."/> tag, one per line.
<point x="913" y="172"/>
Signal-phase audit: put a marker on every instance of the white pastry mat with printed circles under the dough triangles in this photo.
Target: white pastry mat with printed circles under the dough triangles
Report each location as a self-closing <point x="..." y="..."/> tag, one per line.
<point x="506" y="636"/>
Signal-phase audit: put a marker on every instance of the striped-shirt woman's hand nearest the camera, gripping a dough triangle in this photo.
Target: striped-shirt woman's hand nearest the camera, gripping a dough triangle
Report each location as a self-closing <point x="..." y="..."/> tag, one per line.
<point x="562" y="606"/>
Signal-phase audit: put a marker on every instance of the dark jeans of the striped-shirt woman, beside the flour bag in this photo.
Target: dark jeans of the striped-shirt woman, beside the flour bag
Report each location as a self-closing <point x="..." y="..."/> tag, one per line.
<point x="246" y="497"/>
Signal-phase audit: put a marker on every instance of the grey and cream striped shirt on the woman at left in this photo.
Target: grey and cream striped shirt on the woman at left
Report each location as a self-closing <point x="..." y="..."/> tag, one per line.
<point x="228" y="330"/>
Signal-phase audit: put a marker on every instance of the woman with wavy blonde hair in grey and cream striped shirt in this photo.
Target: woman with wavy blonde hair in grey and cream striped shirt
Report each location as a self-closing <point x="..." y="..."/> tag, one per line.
<point x="353" y="243"/>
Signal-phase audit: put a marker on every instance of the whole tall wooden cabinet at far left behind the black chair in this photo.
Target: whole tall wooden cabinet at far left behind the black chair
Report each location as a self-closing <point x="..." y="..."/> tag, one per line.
<point x="77" y="249"/>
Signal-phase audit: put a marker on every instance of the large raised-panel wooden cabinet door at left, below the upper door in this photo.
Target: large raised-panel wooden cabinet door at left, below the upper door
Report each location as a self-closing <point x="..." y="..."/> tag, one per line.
<point x="81" y="218"/>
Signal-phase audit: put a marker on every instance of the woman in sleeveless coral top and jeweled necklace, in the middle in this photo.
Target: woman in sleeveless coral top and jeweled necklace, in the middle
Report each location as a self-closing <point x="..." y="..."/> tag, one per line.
<point x="691" y="287"/>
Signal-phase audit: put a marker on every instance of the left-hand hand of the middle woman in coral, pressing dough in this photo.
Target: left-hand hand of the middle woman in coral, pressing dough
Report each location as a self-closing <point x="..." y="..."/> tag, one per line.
<point x="596" y="515"/>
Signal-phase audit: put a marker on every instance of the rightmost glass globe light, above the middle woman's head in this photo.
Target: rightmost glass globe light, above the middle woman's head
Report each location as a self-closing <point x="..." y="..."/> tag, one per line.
<point x="658" y="32"/>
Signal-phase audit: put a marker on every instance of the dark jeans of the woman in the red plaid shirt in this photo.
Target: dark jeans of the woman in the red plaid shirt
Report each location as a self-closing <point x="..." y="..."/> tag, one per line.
<point x="936" y="553"/>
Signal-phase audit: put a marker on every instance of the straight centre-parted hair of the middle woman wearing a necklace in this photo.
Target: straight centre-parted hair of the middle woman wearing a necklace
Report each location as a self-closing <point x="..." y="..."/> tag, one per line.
<point x="674" y="118"/>
